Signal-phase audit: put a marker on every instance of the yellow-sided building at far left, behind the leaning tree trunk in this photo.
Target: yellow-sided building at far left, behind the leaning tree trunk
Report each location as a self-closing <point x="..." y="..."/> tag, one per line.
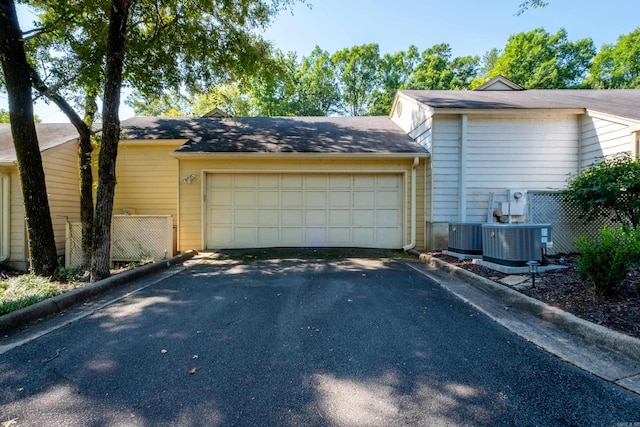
<point x="59" y="146"/>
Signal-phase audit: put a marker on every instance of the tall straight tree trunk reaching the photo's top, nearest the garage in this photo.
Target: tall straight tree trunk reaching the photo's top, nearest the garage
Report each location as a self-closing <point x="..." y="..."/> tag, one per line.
<point x="110" y="138"/>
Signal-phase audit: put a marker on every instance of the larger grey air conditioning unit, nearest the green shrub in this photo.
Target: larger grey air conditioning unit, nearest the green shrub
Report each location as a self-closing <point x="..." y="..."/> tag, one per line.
<point x="515" y="244"/>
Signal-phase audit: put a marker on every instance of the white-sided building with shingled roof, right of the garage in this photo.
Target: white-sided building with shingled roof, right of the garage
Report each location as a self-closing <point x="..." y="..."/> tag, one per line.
<point x="486" y="142"/>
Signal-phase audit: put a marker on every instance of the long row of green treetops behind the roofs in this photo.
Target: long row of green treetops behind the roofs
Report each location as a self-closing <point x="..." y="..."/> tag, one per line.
<point x="360" y="81"/>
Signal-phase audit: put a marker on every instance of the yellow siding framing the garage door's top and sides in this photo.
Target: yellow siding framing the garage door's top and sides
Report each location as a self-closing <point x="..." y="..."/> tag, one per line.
<point x="191" y="195"/>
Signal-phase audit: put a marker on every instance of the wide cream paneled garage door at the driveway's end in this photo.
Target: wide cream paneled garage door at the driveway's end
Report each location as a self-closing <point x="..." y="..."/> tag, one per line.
<point x="249" y="210"/>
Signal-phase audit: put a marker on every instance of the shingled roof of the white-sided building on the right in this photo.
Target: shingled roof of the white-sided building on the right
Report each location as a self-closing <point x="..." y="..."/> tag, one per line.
<point x="624" y="103"/>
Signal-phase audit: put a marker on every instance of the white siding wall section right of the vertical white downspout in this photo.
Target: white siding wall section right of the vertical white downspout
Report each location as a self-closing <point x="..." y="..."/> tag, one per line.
<point x="517" y="153"/>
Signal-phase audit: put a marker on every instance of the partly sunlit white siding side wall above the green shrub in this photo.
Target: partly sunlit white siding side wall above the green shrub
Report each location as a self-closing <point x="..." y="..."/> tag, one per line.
<point x="601" y="137"/>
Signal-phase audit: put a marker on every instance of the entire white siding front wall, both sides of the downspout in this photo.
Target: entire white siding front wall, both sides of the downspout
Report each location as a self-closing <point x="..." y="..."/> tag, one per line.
<point x="502" y="153"/>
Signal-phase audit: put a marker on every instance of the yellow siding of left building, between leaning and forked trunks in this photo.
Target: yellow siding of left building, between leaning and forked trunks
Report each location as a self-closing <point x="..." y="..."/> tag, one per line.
<point x="60" y="166"/>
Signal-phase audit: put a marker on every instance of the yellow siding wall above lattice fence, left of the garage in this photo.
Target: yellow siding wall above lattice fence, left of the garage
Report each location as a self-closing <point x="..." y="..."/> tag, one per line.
<point x="147" y="180"/>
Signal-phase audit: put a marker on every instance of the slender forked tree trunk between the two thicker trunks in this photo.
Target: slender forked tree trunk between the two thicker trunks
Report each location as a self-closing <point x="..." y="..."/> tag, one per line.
<point x="85" y="148"/>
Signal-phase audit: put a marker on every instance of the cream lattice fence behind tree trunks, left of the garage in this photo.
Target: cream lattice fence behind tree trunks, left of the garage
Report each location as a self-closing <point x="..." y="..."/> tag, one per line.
<point x="133" y="238"/>
